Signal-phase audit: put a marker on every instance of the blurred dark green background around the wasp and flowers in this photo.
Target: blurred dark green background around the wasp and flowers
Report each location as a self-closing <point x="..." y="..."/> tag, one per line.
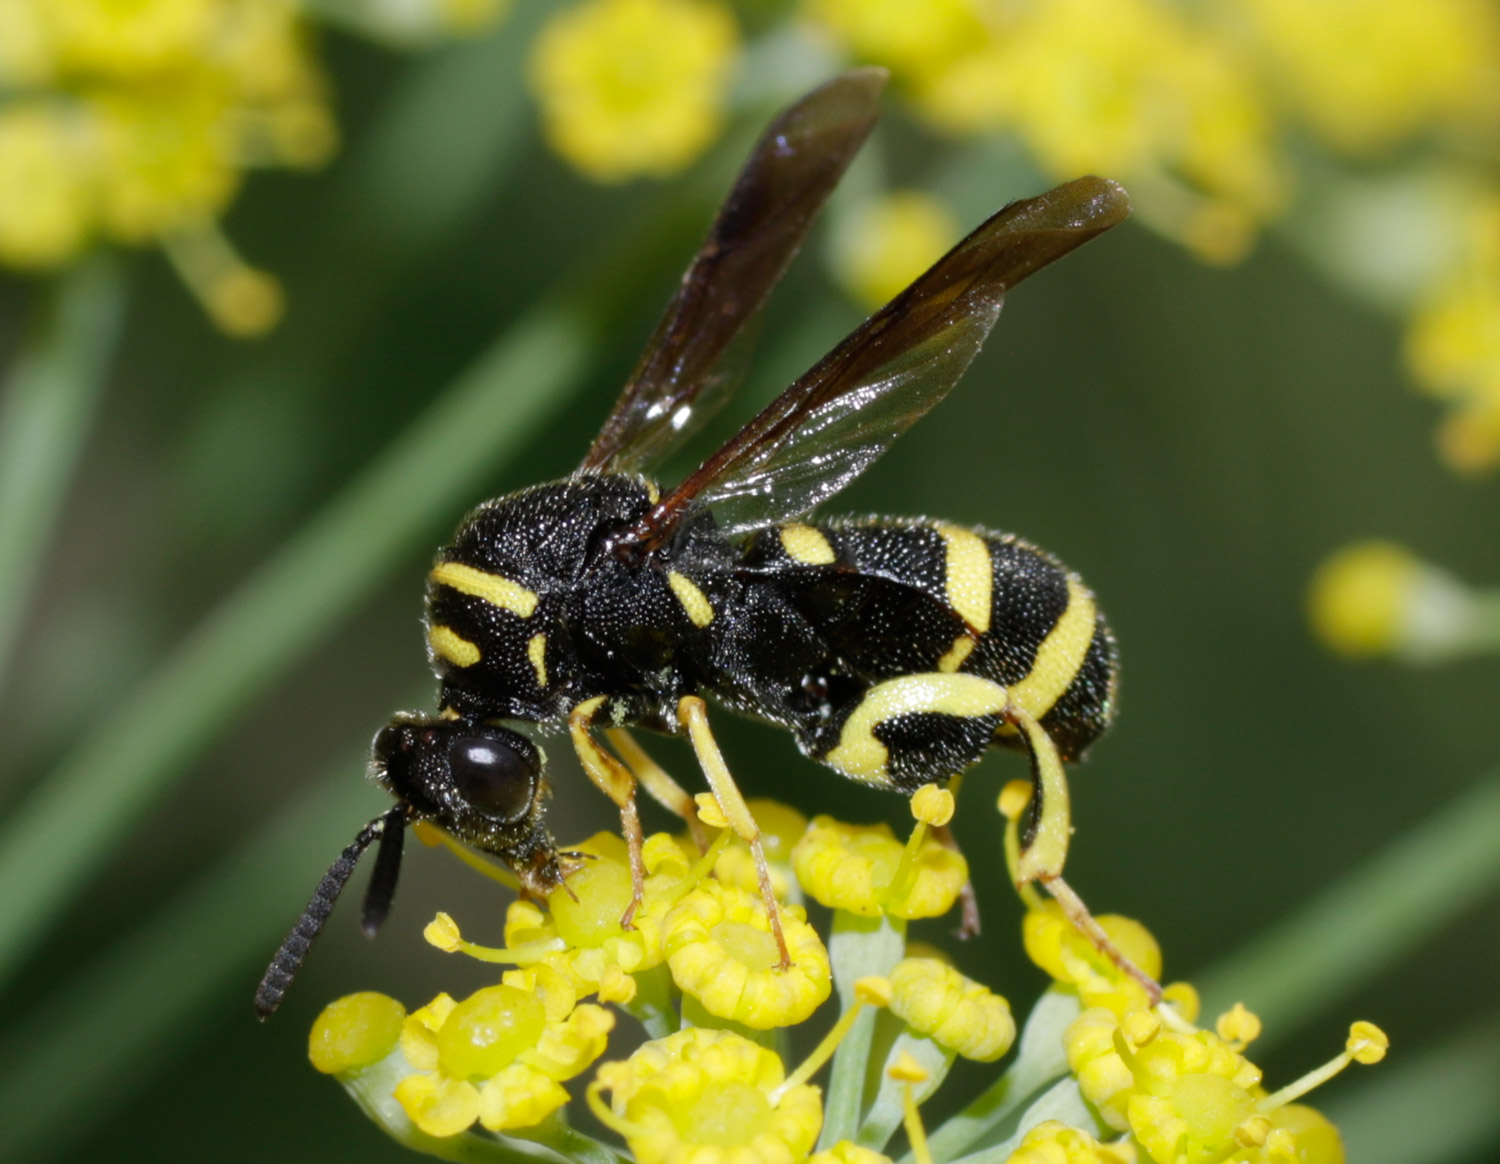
<point x="1192" y="440"/>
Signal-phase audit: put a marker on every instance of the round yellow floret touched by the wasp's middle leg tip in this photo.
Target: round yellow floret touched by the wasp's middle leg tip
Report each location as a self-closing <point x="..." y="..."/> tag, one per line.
<point x="721" y="950"/>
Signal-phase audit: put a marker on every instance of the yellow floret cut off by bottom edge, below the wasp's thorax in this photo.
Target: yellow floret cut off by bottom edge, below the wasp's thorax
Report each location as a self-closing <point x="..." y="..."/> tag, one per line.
<point x="709" y="1097"/>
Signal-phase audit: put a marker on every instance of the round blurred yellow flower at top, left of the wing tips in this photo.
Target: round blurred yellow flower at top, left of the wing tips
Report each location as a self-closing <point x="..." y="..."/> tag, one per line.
<point x="632" y="88"/>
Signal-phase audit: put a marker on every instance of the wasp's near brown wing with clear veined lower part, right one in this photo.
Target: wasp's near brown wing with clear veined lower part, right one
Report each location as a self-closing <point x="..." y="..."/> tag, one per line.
<point x="836" y="421"/>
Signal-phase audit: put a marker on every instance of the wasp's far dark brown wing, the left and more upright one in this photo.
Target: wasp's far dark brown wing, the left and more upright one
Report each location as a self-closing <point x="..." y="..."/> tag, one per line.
<point x="758" y="230"/>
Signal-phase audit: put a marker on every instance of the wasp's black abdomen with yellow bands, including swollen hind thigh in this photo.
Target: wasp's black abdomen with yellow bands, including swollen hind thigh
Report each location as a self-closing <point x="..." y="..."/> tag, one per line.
<point x="934" y="631"/>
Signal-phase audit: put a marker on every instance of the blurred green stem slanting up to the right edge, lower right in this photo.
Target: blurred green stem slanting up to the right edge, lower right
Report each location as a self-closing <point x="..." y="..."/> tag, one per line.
<point x="1351" y="932"/>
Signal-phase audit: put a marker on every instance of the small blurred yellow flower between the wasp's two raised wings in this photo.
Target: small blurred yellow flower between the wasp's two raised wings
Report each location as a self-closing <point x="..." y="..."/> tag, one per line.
<point x="881" y="247"/>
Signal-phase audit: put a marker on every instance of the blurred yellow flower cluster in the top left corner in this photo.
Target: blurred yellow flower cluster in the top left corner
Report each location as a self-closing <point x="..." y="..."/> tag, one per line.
<point x="136" y="122"/>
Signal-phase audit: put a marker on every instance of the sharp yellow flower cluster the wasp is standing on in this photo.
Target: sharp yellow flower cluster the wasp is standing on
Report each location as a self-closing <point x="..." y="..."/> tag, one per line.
<point x="700" y="968"/>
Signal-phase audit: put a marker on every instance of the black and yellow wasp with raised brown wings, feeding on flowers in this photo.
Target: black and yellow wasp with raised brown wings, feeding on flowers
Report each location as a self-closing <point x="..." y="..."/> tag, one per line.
<point x="896" y="652"/>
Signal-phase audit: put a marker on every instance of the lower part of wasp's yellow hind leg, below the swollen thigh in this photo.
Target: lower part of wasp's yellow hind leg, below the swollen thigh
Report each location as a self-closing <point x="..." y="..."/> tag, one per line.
<point x="1045" y="845"/>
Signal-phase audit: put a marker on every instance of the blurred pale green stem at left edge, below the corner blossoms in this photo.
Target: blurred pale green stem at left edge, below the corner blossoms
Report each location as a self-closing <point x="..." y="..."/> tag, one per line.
<point x="46" y="413"/>
